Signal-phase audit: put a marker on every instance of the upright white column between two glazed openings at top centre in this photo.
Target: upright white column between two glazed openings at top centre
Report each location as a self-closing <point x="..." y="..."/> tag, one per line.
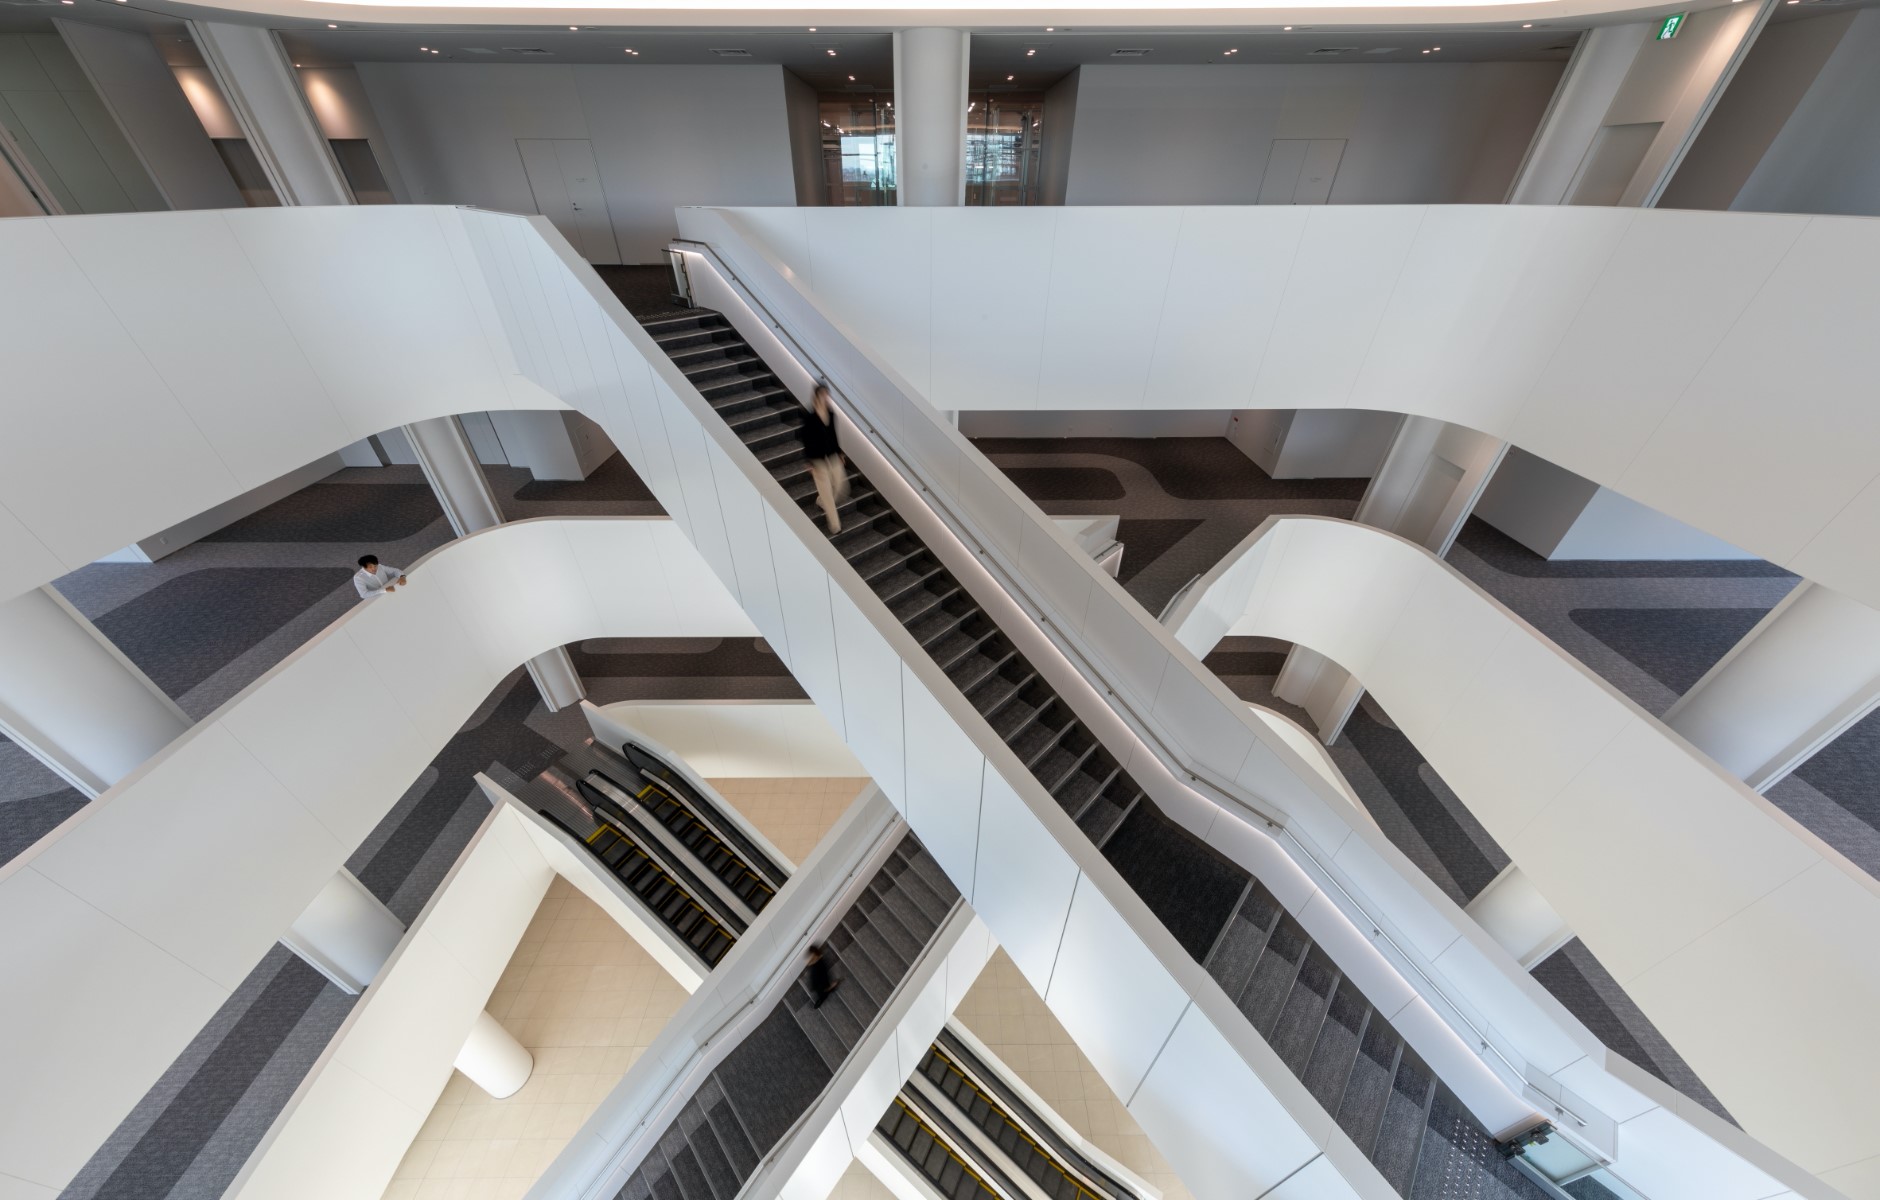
<point x="932" y="118"/>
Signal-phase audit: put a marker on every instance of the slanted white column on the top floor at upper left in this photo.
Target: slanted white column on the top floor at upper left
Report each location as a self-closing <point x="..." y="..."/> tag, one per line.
<point x="258" y="84"/>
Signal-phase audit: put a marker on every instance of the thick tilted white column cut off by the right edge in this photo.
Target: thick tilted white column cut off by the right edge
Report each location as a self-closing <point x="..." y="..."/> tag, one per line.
<point x="1798" y="680"/>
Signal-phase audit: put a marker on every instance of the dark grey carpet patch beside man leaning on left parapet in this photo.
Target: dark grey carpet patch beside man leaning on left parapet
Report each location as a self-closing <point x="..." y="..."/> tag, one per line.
<point x="185" y="631"/>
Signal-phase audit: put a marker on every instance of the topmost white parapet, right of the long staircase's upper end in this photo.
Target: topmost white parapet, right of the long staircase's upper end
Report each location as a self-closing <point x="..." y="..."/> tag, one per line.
<point x="1714" y="366"/>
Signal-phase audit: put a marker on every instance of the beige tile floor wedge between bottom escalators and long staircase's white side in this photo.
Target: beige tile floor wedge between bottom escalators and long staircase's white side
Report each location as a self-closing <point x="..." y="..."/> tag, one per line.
<point x="1005" y="1013"/>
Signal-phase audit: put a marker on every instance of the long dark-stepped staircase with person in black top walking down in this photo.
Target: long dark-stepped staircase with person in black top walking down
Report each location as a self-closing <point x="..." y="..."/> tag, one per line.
<point x="1324" y="1028"/>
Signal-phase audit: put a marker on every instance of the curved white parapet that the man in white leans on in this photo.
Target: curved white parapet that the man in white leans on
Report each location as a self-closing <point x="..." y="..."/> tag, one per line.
<point x="127" y="928"/>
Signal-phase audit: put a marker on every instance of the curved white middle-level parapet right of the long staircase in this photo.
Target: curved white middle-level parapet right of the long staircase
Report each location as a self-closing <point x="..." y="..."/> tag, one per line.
<point x="1747" y="941"/>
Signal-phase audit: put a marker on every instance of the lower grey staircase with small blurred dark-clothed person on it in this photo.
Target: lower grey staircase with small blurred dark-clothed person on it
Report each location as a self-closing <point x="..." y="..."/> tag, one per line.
<point x="774" y="1077"/>
